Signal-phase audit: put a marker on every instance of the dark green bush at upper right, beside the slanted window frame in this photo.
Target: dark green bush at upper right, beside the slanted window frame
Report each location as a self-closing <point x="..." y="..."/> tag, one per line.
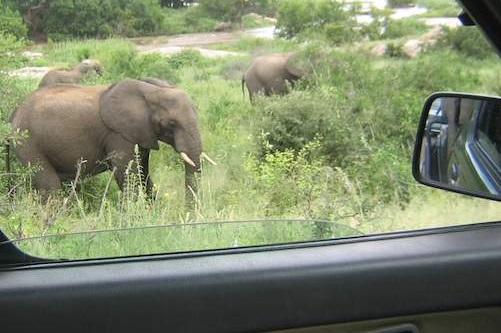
<point x="466" y="40"/>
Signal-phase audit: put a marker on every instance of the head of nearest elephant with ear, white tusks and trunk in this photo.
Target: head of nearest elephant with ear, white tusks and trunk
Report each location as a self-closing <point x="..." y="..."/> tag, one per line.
<point x="143" y="113"/>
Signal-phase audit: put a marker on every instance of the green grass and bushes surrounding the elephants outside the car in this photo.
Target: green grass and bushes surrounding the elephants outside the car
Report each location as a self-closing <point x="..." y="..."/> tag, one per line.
<point x="336" y="151"/>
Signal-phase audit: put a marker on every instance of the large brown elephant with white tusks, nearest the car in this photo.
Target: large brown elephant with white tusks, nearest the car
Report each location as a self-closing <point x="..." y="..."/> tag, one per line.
<point x="101" y="125"/>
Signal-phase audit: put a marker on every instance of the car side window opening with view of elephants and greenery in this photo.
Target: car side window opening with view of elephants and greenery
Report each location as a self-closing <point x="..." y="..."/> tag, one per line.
<point x="141" y="127"/>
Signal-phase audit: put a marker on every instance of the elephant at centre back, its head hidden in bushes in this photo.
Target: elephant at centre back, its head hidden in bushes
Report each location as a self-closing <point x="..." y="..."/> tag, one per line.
<point x="269" y="73"/>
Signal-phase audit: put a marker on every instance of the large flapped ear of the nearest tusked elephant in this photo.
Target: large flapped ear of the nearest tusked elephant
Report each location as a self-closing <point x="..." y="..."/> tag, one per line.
<point x="124" y="109"/>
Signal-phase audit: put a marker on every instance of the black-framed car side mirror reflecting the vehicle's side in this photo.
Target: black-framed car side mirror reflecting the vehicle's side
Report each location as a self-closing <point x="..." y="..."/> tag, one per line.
<point x="459" y="143"/>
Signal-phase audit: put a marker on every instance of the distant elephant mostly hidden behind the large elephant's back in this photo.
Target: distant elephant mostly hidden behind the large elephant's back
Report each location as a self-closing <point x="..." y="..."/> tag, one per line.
<point x="72" y="76"/>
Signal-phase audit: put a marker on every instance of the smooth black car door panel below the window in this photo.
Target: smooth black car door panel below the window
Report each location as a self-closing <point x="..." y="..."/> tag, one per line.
<point x="252" y="290"/>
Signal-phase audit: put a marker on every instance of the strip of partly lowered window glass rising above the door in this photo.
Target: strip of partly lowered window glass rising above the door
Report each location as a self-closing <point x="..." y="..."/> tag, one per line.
<point x="182" y="237"/>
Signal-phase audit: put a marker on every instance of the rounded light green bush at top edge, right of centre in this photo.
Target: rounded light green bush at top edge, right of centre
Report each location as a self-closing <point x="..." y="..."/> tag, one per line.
<point x="309" y="17"/>
